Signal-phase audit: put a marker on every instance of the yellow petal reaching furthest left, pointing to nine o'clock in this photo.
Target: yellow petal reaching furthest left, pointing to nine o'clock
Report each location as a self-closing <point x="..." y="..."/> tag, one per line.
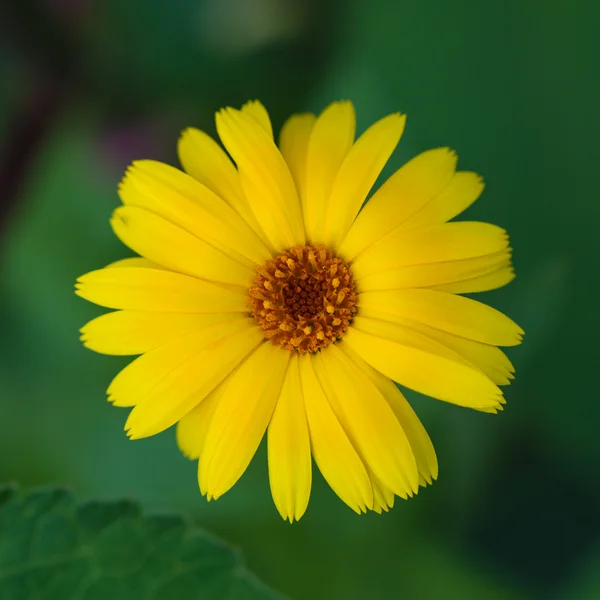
<point x="140" y="288"/>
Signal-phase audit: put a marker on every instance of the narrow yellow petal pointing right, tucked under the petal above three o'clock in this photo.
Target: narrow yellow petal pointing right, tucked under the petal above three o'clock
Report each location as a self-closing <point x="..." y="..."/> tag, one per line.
<point x="452" y="273"/>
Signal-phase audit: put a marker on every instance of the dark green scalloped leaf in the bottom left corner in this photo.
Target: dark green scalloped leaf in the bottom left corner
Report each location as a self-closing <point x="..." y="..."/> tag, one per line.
<point x="52" y="548"/>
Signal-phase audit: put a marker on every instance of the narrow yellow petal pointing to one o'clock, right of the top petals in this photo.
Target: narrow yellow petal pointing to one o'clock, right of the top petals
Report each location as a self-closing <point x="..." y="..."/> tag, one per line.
<point x="358" y="173"/>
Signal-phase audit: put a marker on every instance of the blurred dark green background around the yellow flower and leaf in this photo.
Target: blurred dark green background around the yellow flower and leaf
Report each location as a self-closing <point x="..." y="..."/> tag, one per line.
<point x="514" y="86"/>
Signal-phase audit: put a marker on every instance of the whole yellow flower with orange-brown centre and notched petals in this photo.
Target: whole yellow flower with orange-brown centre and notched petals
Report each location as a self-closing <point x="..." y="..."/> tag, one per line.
<point x="265" y="300"/>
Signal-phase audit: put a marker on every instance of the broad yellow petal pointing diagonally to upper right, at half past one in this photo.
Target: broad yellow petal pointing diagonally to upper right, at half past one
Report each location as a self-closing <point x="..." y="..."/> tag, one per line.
<point x="402" y="195"/>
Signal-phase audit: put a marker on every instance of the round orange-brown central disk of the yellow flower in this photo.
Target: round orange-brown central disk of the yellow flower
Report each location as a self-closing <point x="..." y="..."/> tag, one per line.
<point x="304" y="298"/>
